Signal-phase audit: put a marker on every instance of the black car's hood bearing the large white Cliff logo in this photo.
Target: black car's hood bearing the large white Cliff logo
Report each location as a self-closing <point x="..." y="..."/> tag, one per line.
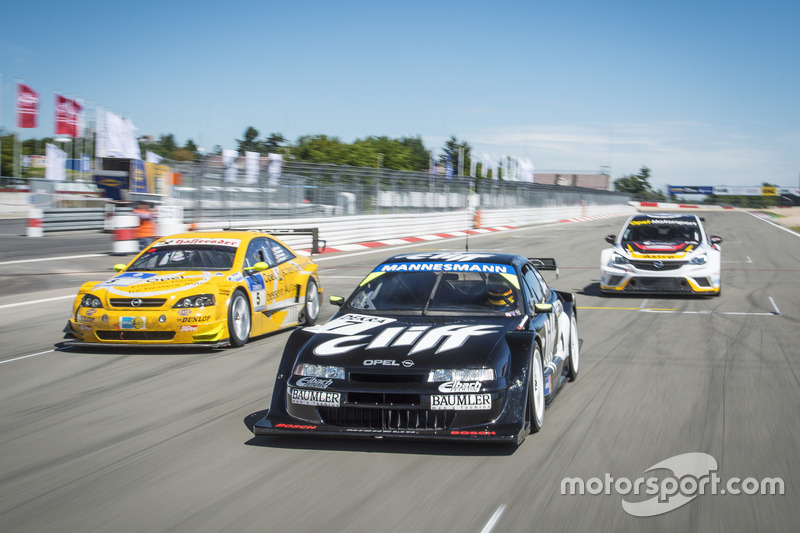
<point x="419" y="342"/>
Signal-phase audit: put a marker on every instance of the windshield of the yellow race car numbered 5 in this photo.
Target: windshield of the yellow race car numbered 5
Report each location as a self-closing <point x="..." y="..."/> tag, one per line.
<point x="185" y="258"/>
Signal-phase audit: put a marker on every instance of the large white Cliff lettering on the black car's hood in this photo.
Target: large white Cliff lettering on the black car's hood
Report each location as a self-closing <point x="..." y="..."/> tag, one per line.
<point x="418" y="338"/>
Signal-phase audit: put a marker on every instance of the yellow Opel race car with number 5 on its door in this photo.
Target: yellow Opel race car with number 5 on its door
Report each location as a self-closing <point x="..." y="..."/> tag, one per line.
<point x="213" y="289"/>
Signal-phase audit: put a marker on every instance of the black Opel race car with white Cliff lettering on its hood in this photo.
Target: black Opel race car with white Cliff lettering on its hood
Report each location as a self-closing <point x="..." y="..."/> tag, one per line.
<point x="464" y="346"/>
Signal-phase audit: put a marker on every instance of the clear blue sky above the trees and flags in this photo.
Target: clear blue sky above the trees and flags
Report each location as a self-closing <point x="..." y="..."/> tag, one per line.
<point x="702" y="92"/>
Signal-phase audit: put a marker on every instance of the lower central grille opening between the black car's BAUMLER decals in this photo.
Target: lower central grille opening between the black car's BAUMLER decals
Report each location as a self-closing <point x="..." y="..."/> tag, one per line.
<point x="385" y="419"/>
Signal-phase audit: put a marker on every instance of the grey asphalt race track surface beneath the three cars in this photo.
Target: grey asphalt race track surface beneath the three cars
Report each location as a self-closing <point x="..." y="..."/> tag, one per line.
<point x="135" y="440"/>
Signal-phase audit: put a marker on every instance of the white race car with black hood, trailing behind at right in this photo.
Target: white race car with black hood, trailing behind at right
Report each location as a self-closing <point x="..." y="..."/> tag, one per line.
<point x="662" y="253"/>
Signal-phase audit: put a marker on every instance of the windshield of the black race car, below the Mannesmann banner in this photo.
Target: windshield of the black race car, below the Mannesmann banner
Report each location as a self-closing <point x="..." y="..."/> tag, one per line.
<point x="438" y="293"/>
